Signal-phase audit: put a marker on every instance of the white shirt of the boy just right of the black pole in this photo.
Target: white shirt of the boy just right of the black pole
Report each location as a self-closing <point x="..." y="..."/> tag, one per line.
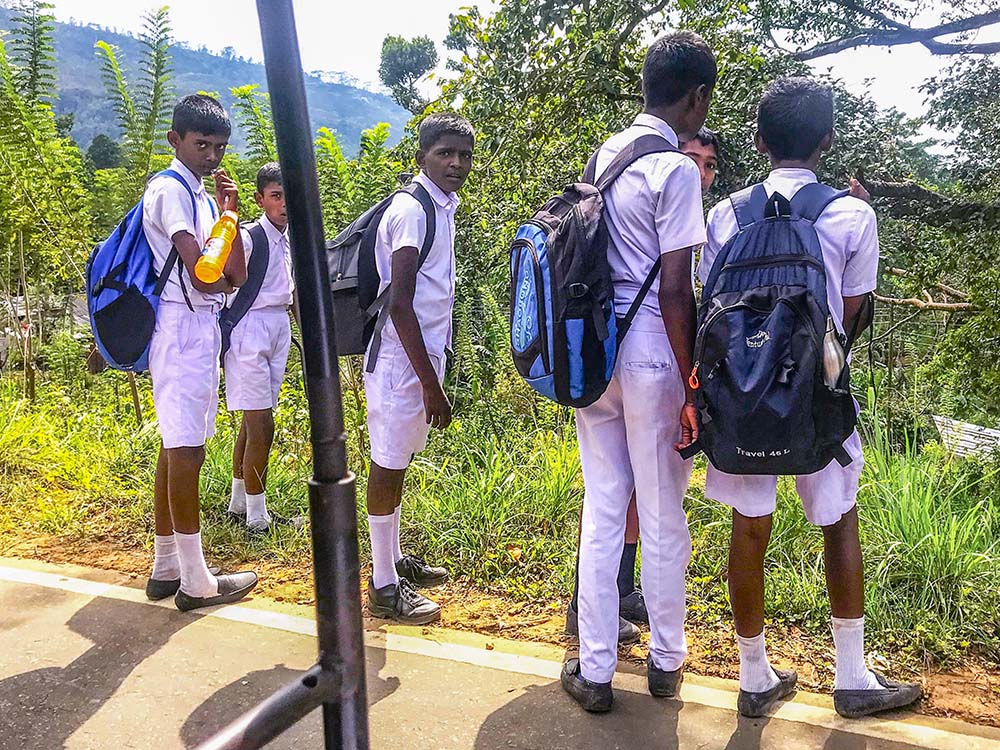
<point x="404" y="224"/>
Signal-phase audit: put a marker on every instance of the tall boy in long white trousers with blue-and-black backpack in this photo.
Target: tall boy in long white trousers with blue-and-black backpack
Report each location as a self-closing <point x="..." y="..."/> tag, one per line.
<point x="628" y="437"/>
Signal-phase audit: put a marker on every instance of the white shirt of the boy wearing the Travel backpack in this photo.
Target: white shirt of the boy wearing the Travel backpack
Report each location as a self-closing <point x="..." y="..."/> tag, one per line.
<point x="847" y="231"/>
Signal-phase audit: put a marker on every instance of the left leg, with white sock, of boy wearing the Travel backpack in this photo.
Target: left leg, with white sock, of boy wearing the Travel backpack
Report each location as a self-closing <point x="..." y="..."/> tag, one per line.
<point x="747" y="548"/>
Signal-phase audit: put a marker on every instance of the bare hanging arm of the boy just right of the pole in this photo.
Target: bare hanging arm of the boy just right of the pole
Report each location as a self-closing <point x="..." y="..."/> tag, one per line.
<point x="401" y="291"/>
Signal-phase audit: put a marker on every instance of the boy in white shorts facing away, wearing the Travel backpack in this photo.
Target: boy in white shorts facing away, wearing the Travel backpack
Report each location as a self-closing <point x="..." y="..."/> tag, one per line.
<point x="795" y="126"/>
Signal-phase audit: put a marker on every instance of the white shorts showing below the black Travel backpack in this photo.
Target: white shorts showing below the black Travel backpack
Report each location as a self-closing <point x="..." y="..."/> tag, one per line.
<point x="826" y="495"/>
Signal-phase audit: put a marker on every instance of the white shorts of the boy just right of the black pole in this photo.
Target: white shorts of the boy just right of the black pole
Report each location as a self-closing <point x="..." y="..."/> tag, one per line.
<point x="397" y="422"/>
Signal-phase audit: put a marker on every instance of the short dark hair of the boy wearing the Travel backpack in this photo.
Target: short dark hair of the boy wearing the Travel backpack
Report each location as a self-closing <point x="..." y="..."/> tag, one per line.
<point x="794" y="115"/>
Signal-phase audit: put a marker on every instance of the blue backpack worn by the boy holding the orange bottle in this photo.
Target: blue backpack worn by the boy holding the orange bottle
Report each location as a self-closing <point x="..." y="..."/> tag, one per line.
<point x="123" y="289"/>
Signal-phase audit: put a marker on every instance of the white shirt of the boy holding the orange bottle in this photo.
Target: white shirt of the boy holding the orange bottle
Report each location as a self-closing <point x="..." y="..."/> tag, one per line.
<point x="166" y="210"/>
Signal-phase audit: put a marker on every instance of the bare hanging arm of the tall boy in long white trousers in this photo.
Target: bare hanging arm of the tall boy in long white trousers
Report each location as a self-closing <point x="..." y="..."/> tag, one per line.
<point x="677" y="307"/>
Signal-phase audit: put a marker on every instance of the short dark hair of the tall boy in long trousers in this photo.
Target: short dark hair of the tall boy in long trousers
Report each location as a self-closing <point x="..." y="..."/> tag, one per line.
<point x="675" y="64"/>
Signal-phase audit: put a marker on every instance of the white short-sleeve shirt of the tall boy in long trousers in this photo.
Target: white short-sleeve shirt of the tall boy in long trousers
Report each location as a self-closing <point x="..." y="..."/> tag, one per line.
<point x="653" y="208"/>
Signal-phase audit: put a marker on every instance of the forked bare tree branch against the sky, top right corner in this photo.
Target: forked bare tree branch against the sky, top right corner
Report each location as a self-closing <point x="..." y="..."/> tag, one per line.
<point x="900" y="34"/>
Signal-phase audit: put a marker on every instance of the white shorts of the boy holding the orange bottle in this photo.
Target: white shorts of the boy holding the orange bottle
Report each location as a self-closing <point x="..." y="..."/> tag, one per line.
<point x="184" y="366"/>
